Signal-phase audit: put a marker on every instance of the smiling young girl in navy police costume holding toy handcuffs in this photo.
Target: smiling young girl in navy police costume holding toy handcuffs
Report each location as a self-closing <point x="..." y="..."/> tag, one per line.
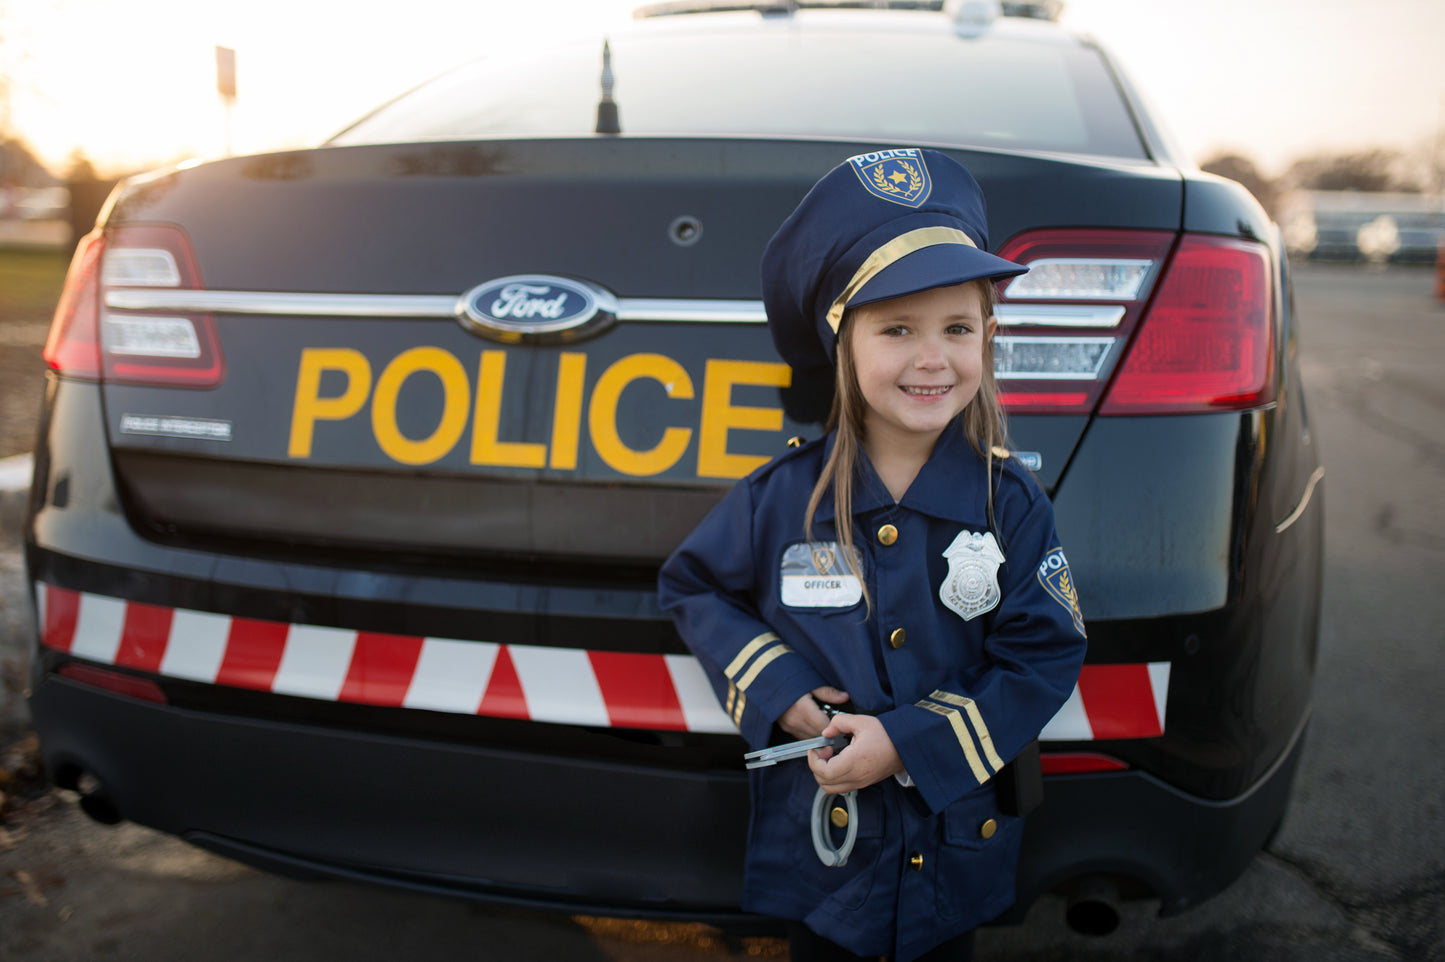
<point x="904" y="570"/>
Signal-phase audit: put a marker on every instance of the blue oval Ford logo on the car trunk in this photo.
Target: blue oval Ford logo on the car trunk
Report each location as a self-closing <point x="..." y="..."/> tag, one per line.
<point x="537" y="308"/>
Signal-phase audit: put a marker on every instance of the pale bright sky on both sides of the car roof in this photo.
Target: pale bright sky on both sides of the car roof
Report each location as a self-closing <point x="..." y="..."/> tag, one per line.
<point x="132" y="83"/>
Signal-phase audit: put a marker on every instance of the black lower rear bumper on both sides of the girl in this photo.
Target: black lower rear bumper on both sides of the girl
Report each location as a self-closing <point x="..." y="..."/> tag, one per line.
<point x="566" y="833"/>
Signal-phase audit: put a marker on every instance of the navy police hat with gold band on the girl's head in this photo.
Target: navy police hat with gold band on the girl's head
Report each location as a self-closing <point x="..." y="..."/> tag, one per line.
<point x="878" y="226"/>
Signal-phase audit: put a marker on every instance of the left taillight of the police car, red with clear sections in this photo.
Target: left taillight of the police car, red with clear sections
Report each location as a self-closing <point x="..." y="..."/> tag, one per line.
<point x="96" y="336"/>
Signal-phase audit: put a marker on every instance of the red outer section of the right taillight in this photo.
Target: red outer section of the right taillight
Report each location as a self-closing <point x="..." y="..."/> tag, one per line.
<point x="1207" y="343"/>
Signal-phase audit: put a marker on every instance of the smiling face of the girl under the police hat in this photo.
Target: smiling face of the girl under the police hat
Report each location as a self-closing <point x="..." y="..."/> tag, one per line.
<point x="920" y="362"/>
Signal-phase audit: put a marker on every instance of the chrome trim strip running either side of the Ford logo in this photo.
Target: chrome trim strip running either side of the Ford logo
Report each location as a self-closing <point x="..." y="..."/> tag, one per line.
<point x="329" y="305"/>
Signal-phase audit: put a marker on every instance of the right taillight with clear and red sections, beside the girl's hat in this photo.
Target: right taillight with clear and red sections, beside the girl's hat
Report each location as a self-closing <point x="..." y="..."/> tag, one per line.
<point x="1167" y="333"/>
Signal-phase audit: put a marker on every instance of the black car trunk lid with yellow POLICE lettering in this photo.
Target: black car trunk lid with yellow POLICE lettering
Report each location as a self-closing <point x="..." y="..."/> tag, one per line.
<point x="363" y="417"/>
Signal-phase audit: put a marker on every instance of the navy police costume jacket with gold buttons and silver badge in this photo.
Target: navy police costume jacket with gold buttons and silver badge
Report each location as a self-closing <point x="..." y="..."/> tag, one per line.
<point x="973" y="642"/>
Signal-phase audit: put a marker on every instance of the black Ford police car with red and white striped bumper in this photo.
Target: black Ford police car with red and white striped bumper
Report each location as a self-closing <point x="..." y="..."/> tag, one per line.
<point x="359" y="463"/>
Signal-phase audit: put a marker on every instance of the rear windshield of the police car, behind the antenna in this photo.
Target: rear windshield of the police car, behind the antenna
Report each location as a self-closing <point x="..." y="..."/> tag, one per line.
<point x="775" y="79"/>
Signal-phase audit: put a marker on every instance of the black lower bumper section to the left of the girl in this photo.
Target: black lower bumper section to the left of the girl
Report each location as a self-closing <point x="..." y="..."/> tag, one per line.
<point x="462" y="820"/>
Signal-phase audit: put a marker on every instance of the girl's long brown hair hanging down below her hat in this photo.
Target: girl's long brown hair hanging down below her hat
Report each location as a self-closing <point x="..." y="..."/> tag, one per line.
<point x="983" y="422"/>
